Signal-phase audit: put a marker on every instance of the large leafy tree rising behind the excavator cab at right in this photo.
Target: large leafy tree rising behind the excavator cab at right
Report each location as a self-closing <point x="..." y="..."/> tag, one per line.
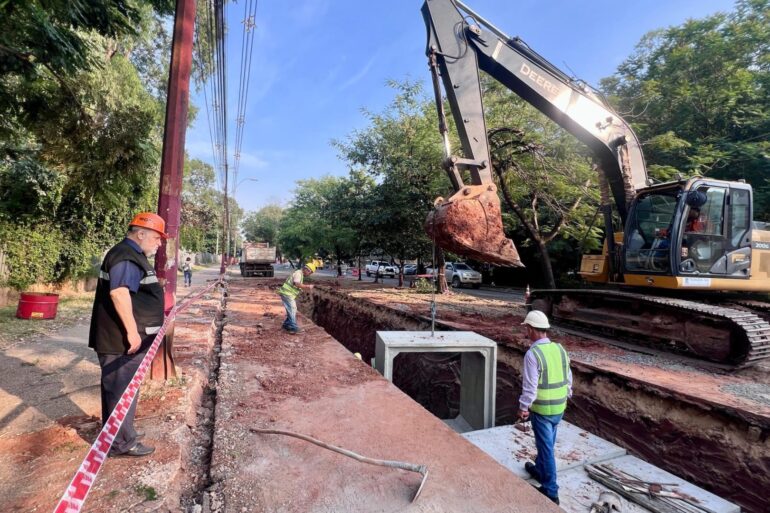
<point x="698" y="95"/>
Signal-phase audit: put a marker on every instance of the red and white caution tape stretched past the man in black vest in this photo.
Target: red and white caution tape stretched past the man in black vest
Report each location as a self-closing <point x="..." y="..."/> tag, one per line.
<point x="75" y="496"/>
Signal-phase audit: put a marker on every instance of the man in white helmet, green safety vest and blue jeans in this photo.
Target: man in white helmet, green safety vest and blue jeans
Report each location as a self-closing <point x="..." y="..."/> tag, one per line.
<point x="546" y="386"/>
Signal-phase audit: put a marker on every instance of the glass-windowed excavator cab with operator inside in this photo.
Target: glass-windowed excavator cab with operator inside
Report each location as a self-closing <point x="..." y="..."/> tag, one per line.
<point x="696" y="228"/>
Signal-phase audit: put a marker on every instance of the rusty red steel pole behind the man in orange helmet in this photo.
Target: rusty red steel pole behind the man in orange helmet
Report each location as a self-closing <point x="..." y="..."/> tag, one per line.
<point x="171" y="171"/>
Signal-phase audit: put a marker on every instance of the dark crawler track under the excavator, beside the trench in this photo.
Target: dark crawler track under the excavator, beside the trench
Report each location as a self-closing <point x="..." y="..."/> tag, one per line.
<point x="735" y="333"/>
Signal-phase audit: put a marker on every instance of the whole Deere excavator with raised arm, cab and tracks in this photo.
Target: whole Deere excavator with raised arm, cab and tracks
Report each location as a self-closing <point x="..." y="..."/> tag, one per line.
<point x="691" y="269"/>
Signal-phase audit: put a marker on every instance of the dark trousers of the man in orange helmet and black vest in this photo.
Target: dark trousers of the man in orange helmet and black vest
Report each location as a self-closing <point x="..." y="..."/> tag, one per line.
<point x="117" y="371"/>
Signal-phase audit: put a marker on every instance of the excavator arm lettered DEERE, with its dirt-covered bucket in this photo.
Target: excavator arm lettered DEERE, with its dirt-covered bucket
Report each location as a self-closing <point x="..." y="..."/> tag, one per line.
<point x="460" y="43"/>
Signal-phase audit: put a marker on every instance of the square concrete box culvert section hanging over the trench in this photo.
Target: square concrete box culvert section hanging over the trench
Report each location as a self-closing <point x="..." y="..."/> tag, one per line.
<point x="478" y="366"/>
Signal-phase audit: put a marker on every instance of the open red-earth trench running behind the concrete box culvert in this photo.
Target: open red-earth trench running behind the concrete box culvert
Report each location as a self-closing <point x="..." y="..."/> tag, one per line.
<point x="721" y="449"/>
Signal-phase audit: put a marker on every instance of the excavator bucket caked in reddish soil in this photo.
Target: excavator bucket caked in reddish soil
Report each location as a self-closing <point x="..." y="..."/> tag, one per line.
<point x="470" y="224"/>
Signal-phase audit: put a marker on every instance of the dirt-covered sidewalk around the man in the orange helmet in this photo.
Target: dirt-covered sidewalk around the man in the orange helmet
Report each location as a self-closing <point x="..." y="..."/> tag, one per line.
<point x="50" y="412"/>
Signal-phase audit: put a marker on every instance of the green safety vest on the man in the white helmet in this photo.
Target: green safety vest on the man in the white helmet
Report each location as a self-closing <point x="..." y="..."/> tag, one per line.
<point x="552" y="386"/>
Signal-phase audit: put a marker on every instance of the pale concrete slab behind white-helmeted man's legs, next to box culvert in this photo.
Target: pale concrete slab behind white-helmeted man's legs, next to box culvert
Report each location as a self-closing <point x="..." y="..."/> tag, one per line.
<point x="512" y="448"/>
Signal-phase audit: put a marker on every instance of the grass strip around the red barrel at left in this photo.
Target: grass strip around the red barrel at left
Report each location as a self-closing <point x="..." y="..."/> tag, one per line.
<point x="71" y="310"/>
